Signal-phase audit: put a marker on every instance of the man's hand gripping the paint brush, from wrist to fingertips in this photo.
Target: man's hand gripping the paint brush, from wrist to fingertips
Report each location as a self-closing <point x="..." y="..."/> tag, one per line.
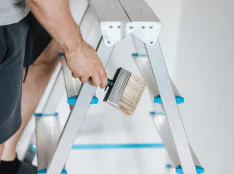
<point x="85" y="64"/>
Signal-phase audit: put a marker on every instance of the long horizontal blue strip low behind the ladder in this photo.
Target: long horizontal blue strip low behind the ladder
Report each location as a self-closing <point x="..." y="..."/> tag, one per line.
<point x="110" y="146"/>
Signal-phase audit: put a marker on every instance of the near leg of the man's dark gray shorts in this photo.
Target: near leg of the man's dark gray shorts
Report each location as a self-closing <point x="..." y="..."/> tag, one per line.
<point x="12" y="40"/>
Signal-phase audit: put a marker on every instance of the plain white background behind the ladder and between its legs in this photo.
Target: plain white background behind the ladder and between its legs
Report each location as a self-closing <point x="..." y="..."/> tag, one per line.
<point x="197" y="40"/>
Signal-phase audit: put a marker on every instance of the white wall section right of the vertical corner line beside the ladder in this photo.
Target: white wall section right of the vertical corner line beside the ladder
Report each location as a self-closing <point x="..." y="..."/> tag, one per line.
<point x="204" y="75"/>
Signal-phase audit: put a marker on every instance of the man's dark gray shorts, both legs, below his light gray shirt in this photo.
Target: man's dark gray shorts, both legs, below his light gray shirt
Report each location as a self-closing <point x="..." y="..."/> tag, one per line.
<point x="20" y="44"/>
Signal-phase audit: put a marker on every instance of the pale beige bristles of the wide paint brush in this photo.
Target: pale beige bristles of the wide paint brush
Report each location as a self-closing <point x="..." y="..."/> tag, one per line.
<point x="131" y="95"/>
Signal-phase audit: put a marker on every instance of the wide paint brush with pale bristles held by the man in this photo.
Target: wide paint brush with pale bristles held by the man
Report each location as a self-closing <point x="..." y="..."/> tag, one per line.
<point x="125" y="91"/>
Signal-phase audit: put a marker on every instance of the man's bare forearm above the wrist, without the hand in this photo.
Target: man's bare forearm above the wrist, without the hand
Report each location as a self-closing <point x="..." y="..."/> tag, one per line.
<point x="56" y="18"/>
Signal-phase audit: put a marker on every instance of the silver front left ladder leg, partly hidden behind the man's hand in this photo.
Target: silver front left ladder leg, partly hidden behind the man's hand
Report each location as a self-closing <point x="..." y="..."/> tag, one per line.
<point x="76" y="118"/>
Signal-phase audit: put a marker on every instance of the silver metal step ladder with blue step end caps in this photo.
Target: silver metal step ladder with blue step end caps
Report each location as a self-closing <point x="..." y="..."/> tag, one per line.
<point x="104" y="24"/>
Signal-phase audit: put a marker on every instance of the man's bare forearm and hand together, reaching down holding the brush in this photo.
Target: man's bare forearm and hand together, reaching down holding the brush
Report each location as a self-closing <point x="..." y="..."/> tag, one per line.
<point x="81" y="58"/>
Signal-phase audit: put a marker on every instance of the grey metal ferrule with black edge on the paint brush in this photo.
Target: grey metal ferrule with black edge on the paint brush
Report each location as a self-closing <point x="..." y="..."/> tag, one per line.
<point x="116" y="91"/>
